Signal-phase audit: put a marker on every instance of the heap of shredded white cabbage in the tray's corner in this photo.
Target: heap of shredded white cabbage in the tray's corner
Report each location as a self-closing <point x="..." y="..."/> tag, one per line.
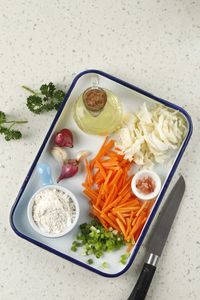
<point x="151" y="135"/>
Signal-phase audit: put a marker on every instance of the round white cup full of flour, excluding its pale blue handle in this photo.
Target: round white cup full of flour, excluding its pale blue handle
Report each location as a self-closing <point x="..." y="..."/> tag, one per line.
<point x="53" y="211"/>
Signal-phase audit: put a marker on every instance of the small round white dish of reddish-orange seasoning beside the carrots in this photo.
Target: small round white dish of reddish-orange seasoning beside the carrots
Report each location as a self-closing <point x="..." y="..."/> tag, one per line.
<point x="146" y="185"/>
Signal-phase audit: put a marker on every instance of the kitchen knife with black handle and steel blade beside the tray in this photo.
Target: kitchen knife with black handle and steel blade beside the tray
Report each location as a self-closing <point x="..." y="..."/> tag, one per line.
<point x="158" y="239"/>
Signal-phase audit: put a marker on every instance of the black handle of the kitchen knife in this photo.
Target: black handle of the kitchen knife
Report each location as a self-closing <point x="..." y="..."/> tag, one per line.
<point x="143" y="283"/>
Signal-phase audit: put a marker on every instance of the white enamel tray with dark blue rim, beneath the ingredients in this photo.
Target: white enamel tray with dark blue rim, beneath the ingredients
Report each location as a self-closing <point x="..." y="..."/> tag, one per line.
<point x="131" y="98"/>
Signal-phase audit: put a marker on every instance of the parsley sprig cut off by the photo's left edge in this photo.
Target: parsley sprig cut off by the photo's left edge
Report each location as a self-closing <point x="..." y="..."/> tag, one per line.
<point x="6" y="130"/>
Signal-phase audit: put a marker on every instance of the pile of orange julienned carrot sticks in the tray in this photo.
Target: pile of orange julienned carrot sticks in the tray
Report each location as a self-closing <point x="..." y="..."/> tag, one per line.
<point x="108" y="186"/>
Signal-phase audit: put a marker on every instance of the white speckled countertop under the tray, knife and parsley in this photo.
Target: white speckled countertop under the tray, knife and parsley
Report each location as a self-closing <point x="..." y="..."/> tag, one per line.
<point x="153" y="44"/>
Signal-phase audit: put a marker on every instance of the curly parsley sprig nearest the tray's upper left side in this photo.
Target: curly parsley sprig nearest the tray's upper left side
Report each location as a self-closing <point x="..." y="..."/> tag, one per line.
<point x="46" y="99"/>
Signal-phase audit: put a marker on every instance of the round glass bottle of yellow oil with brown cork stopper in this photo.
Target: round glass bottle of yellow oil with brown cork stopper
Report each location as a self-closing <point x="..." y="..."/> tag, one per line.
<point x="98" y="111"/>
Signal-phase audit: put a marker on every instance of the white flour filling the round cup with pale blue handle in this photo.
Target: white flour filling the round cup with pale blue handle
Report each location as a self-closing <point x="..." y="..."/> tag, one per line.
<point x="53" y="210"/>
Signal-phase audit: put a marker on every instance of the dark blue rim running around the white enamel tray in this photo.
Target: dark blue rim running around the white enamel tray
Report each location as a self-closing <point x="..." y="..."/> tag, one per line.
<point x="157" y="203"/>
